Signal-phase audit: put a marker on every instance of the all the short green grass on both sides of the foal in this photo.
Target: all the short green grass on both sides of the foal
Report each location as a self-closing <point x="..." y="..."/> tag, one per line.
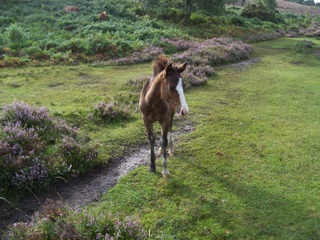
<point x="249" y="170"/>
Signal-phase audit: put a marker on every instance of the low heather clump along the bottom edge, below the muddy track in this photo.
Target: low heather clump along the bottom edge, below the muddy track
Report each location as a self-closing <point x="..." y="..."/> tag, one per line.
<point x="56" y="221"/>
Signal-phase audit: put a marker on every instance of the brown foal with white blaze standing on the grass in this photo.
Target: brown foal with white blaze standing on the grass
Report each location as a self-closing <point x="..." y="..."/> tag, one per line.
<point x="161" y="97"/>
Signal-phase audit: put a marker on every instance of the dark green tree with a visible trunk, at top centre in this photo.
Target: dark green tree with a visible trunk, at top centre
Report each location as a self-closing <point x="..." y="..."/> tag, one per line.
<point x="207" y="7"/>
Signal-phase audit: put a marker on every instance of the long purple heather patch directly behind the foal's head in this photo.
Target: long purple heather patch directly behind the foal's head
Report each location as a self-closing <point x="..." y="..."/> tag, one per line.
<point x="201" y="56"/>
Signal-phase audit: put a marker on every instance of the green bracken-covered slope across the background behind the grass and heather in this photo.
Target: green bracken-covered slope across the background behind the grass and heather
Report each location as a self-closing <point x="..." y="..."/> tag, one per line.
<point x="38" y="33"/>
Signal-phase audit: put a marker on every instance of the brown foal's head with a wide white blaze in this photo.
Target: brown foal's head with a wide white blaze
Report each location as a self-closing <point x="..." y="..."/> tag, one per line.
<point x="173" y="88"/>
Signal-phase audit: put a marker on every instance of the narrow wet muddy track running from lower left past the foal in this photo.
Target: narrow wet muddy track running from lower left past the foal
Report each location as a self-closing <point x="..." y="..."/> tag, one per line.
<point x="81" y="190"/>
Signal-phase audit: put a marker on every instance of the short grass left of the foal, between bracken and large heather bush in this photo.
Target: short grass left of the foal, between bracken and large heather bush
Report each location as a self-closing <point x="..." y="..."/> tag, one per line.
<point x="72" y="92"/>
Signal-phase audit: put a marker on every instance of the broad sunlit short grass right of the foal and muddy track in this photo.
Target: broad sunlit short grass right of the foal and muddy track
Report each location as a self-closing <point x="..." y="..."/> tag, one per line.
<point x="250" y="170"/>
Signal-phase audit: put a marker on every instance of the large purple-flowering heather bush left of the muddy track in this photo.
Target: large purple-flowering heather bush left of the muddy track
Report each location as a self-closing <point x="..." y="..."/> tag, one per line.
<point x="36" y="148"/>
